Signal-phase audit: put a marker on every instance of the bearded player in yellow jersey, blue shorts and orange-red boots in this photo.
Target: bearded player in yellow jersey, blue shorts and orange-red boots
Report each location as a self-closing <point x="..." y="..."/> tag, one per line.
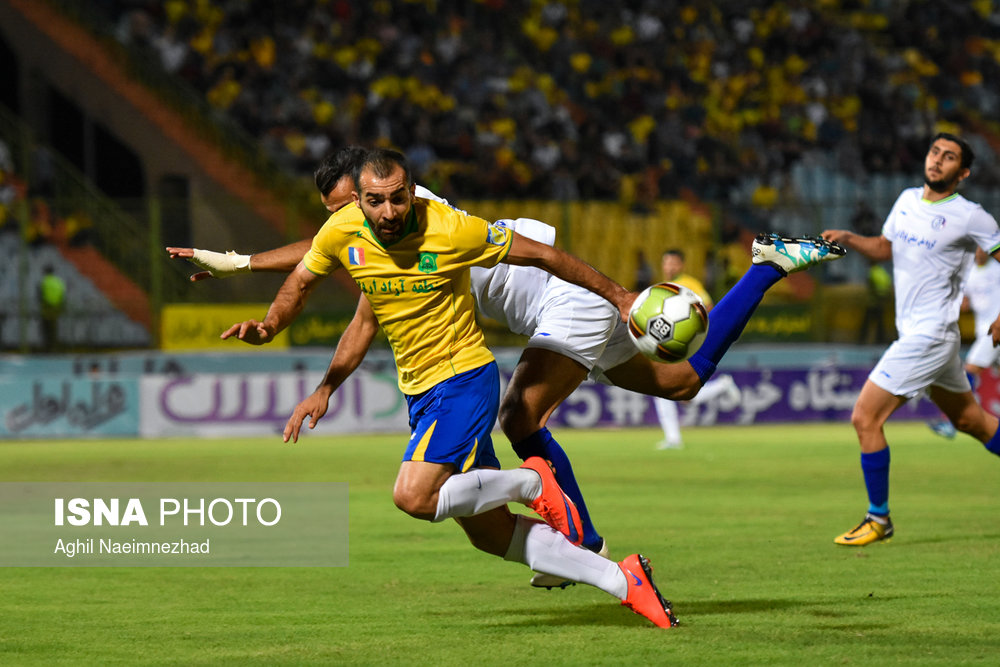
<point x="411" y="258"/>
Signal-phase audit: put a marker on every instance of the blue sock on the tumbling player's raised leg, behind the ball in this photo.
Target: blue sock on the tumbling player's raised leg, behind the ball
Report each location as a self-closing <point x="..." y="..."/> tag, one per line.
<point x="730" y="316"/>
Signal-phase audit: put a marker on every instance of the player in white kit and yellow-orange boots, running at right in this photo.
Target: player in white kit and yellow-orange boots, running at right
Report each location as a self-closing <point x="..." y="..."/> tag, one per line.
<point x="931" y="234"/>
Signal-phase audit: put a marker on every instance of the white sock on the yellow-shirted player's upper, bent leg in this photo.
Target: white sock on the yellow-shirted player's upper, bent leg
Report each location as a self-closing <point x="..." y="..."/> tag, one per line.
<point x="481" y="490"/>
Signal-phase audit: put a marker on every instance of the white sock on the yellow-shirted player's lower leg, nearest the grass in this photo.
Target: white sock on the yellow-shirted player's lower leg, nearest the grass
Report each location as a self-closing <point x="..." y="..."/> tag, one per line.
<point x="544" y="549"/>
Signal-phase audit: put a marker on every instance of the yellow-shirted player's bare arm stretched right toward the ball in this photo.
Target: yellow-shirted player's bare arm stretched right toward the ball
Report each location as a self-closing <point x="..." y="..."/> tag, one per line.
<point x="526" y="252"/>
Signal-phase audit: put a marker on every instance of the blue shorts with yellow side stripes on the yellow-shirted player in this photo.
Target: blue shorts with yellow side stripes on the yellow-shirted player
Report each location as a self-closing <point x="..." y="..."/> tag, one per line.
<point x="451" y="422"/>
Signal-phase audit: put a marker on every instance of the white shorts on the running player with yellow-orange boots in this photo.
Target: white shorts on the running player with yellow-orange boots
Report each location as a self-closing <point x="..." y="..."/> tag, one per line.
<point x="914" y="362"/>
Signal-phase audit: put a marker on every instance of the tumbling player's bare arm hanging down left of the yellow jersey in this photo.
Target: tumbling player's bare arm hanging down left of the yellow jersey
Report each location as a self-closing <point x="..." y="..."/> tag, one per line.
<point x="351" y="349"/>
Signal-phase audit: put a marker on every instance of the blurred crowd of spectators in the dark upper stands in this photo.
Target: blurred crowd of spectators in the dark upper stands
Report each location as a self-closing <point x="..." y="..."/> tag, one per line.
<point x="585" y="99"/>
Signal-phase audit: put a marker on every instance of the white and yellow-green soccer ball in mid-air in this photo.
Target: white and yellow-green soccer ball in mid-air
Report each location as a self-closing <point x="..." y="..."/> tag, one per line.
<point x="668" y="322"/>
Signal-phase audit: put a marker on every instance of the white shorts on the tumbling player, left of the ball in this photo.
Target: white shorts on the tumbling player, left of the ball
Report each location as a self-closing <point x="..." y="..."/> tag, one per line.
<point x="573" y="322"/>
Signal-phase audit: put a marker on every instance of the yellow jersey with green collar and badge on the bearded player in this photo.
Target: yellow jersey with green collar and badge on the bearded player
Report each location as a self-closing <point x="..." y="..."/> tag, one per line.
<point x="418" y="286"/>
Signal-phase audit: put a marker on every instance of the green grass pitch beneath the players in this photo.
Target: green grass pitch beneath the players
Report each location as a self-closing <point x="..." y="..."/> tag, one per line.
<point x="739" y="527"/>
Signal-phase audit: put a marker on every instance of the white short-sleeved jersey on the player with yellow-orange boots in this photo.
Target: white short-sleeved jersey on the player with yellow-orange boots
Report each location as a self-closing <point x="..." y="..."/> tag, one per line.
<point x="932" y="248"/>
